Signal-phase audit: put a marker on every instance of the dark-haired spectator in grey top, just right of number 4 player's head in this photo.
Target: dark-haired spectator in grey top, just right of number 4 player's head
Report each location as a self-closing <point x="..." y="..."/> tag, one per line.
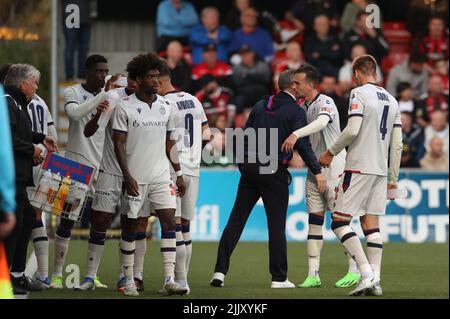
<point x="413" y="71"/>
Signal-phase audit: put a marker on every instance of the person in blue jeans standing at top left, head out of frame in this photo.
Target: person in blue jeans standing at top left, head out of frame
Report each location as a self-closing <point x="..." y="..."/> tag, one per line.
<point x="76" y="39"/>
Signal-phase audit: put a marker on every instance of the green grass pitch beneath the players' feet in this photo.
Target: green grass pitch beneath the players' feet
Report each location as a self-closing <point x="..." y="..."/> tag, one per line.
<point x="409" y="271"/>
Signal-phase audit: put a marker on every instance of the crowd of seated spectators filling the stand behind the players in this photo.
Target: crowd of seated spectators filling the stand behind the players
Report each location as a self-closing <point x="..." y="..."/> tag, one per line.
<point x="230" y="61"/>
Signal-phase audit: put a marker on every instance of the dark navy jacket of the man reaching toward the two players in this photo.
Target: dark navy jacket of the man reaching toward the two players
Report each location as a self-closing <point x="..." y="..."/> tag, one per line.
<point x="284" y="114"/>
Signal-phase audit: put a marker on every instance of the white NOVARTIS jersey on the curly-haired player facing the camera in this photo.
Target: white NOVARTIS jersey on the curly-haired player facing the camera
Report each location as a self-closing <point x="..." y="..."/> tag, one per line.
<point x="146" y="126"/>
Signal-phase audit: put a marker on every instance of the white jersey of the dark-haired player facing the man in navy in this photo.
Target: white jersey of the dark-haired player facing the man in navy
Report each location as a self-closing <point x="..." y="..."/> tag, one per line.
<point x="323" y="105"/>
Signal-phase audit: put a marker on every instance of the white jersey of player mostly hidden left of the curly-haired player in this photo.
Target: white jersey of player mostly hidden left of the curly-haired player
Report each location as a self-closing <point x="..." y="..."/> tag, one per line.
<point x="109" y="162"/>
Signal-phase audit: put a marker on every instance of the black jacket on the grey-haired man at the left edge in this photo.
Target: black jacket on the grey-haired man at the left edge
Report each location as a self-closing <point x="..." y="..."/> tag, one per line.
<point x="22" y="135"/>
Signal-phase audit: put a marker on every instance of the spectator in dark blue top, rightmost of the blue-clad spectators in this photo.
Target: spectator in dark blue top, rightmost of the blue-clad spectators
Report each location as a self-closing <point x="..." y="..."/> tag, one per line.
<point x="258" y="39"/>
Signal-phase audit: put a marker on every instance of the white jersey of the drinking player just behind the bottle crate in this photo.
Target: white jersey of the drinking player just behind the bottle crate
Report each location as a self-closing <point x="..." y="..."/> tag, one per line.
<point x="90" y="148"/>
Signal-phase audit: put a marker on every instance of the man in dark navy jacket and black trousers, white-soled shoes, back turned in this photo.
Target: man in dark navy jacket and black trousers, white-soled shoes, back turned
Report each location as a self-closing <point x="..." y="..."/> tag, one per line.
<point x="282" y="113"/>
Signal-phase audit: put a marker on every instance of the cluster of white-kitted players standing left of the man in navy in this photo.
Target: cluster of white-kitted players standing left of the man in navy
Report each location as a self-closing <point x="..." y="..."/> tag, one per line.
<point x="145" y="142"/>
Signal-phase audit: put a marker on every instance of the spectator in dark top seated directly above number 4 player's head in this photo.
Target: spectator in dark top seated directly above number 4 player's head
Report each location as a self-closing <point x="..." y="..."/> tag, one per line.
<point x="372" y="39"/>
